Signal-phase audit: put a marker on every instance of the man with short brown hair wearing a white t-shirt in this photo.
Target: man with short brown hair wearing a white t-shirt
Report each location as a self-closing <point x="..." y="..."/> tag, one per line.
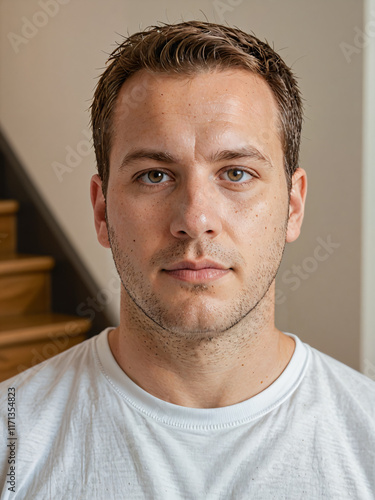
<point x="196" y="394"/>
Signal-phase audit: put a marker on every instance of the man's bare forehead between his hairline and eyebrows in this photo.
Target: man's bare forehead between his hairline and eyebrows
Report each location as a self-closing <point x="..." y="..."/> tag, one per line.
<point x="214" y="106"/>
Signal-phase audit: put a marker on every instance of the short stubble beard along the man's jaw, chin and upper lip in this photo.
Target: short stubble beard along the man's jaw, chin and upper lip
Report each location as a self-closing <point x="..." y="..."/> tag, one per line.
<point x="199" y="320"/>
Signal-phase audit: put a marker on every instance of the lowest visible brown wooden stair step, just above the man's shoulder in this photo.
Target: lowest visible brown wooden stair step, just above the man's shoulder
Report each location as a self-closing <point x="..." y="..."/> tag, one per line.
<point x="28" y="340"/>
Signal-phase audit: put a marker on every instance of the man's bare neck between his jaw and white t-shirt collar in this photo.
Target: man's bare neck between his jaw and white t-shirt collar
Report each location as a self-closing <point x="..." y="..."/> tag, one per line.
<point x="216" y="371"/>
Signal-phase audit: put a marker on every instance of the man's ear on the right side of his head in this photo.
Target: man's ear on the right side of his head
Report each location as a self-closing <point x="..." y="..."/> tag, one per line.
<point x="296" y="204"/>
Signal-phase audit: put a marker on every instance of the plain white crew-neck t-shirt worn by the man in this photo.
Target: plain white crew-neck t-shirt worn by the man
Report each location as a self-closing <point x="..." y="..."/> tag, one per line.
<point x="86" y="431"/>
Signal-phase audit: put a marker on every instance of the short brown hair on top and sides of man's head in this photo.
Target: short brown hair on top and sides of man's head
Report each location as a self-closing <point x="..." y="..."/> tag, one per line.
<point x="191" y="48"/>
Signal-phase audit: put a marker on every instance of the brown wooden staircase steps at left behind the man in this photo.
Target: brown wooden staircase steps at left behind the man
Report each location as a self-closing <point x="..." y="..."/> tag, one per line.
<point x="29" y="332"/>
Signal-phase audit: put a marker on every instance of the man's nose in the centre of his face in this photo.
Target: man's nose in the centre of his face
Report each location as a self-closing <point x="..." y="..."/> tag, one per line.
<point x="195" y="211"/>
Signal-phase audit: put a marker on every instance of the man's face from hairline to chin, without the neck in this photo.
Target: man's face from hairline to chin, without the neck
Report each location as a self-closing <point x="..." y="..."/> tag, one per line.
<point x="214" y="190"/>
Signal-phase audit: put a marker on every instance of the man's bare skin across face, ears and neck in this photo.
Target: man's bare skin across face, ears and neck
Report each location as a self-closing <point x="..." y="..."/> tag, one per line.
<point x="202" y="339"/>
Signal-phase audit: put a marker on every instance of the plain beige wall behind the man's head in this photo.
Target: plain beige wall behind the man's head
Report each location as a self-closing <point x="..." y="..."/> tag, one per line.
<point x="48" y="80"/>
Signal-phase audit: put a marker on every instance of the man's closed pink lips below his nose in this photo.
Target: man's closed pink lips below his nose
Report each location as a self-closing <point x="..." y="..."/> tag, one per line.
<point x="197" y="272"/>
